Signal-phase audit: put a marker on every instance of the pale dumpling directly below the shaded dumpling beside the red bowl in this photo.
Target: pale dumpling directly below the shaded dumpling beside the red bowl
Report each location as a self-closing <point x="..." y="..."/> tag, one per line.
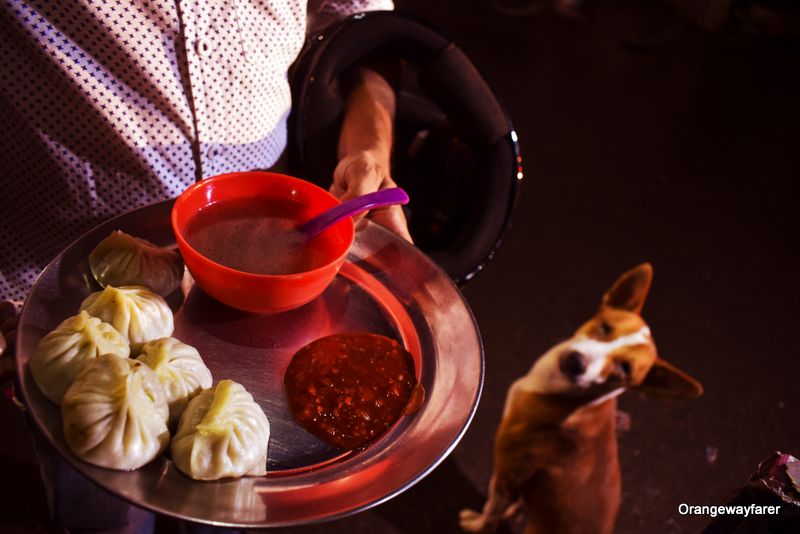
<point x="136" y="312"/>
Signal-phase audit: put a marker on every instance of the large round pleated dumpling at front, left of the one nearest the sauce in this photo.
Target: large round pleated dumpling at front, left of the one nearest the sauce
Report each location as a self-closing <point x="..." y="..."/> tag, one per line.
<point x="115" y="414"/>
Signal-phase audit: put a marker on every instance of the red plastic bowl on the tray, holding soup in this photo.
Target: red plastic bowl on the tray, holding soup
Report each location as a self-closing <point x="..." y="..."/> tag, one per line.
<point x="261" y="293"/>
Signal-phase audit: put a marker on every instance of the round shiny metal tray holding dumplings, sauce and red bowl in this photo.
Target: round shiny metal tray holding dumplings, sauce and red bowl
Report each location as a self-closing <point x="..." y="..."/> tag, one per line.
<point x="386" y="287"/>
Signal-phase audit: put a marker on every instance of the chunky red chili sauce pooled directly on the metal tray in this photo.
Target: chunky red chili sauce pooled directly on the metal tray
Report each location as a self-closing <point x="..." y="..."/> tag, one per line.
<point x="347" y="389"/>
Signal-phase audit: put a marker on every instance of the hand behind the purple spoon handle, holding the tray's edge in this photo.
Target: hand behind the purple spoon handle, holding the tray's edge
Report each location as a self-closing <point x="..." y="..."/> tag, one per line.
<point x="365" y="172"/>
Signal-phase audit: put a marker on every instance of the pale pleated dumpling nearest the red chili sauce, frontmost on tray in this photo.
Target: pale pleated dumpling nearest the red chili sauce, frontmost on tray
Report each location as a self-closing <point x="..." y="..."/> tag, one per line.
<point x="222" y="433"/>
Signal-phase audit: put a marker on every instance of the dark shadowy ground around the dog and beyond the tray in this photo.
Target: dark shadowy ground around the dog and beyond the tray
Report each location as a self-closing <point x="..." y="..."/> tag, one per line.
<point x="644" y="139"/>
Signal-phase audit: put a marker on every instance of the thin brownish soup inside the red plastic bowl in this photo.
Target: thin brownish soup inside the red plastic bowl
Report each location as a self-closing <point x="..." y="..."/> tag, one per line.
<point x="256" y="235"/>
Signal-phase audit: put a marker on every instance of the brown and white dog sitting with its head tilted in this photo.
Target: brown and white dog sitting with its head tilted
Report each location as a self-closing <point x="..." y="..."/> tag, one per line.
<point x="556" y="447"/>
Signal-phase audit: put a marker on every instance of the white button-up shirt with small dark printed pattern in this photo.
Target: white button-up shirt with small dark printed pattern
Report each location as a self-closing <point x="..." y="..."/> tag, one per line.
<point x="110" y="105"/>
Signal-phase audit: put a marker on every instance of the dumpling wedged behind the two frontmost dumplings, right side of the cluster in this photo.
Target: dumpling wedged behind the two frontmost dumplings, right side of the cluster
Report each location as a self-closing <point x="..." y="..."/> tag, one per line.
<point x="179" y="368"/>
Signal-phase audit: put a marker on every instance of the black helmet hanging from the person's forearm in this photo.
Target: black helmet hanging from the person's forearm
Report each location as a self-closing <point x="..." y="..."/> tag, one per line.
<point x="455" y="152"/>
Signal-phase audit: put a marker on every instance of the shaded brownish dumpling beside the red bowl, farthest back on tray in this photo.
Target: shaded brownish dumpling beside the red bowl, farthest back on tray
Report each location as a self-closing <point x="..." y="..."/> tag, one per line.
<point x="124" y="260"/>
